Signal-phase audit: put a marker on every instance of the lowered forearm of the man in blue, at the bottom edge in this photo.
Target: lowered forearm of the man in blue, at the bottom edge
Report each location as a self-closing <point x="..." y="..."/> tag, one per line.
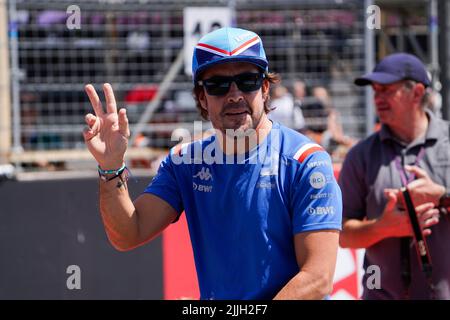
<point x="306" y="286"/>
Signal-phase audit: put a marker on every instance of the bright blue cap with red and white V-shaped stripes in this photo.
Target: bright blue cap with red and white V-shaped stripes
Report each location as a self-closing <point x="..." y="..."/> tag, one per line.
<point x="228" y="45"/>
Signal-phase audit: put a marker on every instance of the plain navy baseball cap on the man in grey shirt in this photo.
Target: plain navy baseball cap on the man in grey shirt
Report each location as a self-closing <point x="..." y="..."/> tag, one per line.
<point x="396" y="67"/>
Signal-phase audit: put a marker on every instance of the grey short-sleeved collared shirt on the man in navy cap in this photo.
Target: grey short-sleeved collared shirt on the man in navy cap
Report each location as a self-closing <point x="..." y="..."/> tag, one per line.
<point x="368" y="169"/>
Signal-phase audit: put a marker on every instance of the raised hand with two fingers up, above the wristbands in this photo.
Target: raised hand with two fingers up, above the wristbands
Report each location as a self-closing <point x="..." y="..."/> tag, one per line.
<point x="107" y="134"/>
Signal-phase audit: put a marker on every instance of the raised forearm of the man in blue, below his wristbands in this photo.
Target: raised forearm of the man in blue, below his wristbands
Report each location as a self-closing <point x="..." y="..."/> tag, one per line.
<point x="118" y="214"/>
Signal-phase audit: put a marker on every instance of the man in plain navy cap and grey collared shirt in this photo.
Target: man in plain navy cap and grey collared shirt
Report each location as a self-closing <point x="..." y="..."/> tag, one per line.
<point x="411" y="149"/>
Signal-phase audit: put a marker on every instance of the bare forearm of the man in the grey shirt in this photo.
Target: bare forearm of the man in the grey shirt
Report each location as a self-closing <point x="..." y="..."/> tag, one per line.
<point x="360" y="234"/>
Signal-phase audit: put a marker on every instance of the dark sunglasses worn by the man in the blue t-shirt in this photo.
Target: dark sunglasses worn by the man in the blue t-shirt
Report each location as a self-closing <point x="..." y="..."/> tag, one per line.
<point x="220" y="85"/>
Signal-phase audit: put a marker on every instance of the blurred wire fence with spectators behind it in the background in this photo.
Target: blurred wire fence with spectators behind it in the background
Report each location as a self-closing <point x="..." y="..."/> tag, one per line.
<point x="318" y="48"/>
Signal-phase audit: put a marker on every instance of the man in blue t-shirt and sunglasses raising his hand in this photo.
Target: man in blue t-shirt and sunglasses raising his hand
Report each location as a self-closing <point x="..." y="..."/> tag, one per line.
<point x="262" y="205"/>
